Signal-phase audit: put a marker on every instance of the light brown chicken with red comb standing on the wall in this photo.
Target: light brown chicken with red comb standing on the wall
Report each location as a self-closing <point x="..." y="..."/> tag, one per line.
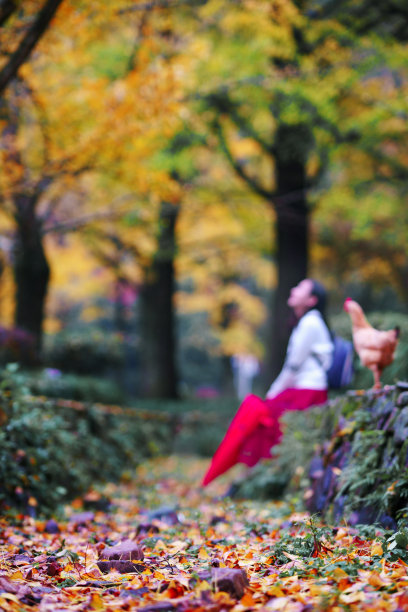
<point x="375" y="348"/>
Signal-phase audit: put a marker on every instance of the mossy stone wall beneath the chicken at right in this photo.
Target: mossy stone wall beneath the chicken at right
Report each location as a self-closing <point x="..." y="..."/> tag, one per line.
<point x="361" y="473"/>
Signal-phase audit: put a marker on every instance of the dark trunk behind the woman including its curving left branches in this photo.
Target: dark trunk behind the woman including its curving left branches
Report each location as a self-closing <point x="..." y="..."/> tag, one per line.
<point x="290" y="151"/>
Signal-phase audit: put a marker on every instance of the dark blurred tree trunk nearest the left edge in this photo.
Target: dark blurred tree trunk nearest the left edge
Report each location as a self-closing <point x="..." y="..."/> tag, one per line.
<point x="31" y="272"/>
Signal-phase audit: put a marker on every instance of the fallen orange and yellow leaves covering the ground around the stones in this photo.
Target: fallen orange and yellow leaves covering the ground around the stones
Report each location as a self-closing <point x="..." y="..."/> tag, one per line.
<point x="354" y="572"/>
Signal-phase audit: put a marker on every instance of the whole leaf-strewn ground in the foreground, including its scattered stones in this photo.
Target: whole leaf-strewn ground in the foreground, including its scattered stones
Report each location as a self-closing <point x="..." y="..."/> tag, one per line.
<point x="164" y="544"/>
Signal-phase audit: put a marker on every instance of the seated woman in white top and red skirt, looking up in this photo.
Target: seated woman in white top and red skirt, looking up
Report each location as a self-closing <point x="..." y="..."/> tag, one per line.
<point x="301" y="383"/>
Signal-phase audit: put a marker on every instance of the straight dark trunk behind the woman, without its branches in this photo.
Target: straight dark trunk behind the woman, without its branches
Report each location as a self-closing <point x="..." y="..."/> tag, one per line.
<point x="292" y="226"/>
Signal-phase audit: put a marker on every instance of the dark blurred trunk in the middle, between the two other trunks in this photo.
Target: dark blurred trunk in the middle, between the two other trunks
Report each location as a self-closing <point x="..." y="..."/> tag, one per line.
<point x="158" y="347"/>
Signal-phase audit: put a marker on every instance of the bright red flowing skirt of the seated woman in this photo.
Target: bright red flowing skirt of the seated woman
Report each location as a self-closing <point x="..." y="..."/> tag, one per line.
<point x="255" y="429"/>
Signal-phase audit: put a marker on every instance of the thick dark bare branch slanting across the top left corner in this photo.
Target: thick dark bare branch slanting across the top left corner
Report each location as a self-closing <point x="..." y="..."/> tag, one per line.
<point x="28" y="43"/>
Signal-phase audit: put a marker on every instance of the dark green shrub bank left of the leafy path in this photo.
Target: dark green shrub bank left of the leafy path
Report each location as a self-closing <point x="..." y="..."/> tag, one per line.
<point x="52" y="451"/>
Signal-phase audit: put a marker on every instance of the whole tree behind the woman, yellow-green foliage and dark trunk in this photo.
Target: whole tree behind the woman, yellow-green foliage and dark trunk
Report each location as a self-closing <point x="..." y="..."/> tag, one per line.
<point x="284" y="77"/>
